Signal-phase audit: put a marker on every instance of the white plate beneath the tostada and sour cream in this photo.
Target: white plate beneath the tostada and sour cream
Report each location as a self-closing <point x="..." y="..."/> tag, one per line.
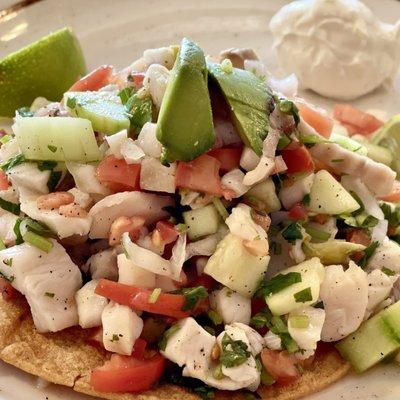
<point x="116" y="32"/>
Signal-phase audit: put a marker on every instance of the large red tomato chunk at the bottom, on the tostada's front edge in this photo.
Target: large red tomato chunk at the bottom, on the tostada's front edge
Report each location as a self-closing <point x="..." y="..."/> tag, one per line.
<point x="128" y="374"/>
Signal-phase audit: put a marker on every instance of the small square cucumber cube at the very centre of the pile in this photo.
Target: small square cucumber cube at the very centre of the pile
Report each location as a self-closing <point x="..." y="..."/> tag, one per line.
<point x="202" y="221"/>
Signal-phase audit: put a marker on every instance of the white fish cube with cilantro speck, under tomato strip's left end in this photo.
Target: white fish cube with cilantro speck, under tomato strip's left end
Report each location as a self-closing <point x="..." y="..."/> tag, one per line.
<point x="121" y="327"/>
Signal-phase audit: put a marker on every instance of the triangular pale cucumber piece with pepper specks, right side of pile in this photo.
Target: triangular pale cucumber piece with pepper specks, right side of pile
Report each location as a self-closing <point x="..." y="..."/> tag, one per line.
<point x="328" y="196"/>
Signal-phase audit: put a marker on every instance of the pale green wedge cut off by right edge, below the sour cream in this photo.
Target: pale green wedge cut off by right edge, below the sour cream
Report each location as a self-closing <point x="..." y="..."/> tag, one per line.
<point x="389" y="137"/>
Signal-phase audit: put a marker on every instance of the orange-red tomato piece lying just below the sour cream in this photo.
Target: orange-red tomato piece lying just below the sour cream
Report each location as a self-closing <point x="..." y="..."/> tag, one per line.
<point x="360" y="121"/>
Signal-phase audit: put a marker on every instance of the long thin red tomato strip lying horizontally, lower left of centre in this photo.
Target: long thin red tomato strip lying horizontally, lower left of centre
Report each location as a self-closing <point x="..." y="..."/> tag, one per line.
<point x="138" y="299"/>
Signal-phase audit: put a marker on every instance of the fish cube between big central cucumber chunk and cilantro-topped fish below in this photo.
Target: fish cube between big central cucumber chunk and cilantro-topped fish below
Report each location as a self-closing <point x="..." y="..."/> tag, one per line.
<point x="231" y="306"/>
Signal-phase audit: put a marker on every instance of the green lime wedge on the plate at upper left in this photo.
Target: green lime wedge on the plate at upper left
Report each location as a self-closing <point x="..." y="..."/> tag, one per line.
<point x="45" y="68"/>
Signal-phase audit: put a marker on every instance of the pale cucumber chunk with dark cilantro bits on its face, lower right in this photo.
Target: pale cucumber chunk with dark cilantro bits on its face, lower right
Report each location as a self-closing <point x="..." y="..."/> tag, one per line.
<point x="312" y="273"/>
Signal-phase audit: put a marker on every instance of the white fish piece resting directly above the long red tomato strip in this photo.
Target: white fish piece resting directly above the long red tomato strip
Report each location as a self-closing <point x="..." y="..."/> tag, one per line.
<point x="131" y="274"/>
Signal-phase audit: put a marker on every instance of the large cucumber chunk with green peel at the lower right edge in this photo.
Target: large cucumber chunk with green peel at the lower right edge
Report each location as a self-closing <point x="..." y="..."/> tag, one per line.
<point x="376" y="339"/>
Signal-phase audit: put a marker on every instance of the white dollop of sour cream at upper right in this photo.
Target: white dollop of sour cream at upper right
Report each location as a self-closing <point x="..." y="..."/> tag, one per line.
<point x="337" y="48"/>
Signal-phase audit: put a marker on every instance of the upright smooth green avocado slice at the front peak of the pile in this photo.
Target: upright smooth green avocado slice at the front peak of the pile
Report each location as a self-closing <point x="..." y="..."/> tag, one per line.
<point x="184" y="124"/>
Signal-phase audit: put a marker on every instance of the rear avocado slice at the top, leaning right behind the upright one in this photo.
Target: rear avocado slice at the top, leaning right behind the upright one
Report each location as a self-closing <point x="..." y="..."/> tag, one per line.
<point x="248" y="98"/>
